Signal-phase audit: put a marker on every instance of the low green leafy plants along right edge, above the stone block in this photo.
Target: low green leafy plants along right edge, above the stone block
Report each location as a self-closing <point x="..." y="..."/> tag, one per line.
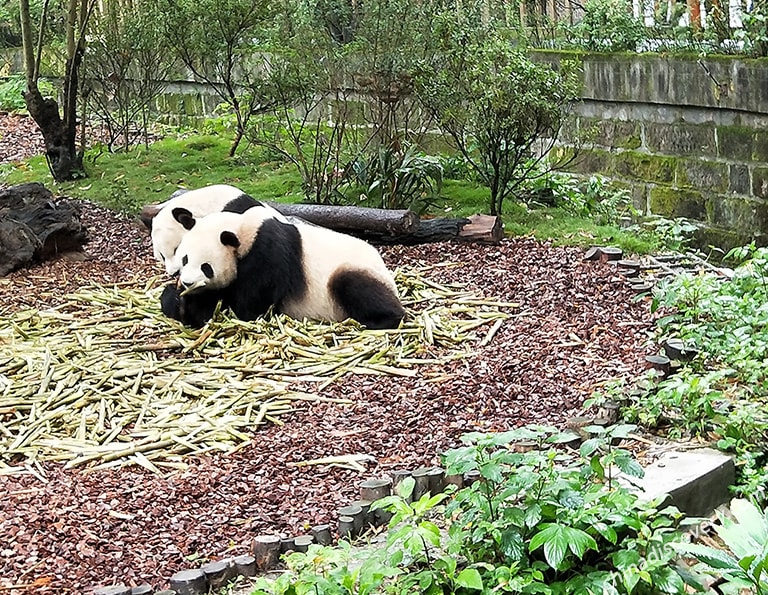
<point x="721" y="394"/>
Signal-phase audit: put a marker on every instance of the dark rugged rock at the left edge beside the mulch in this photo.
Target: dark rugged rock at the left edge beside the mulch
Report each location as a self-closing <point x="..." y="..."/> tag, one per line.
<point x="35" y="226"/>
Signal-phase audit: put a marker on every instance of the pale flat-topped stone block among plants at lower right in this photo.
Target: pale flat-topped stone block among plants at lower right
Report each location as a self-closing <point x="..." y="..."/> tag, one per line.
<point x="696" y="481"/>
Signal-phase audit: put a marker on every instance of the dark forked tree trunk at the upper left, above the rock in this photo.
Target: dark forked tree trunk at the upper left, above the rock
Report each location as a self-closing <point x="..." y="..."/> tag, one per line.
<point x="59" y="130"/>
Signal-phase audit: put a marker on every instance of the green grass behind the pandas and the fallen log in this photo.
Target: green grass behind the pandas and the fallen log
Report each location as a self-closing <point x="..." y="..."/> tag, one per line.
<point x="126" y="181"/>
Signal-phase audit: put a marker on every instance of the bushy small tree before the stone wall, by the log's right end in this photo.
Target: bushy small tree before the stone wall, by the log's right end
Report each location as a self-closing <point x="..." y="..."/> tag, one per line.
<point x="502" y="111"/>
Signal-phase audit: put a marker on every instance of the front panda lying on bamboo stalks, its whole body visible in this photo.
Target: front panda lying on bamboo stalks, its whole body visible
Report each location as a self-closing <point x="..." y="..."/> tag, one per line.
<point x="253" y="260"/>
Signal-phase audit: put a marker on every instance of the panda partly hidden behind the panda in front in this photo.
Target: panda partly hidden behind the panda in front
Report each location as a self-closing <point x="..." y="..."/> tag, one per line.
<point x="167" y="232"/>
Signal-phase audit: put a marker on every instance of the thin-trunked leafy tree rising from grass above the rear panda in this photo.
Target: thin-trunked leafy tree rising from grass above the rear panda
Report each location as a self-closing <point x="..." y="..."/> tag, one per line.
<point x="218" y="40"/>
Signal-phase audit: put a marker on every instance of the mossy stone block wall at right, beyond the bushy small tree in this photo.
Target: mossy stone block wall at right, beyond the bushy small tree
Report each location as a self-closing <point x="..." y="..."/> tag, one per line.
<point x="687" y="135"/>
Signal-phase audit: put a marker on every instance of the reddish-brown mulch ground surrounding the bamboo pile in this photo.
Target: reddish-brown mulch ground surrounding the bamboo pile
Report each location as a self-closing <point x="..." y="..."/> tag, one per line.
<point x="577" y="325"/>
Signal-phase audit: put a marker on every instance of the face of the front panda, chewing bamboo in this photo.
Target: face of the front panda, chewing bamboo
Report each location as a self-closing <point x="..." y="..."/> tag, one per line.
<point x="207" y="256"/>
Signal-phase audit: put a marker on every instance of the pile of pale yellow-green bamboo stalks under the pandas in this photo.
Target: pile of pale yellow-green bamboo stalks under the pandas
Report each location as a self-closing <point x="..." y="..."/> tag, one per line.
<point x="107" y="380"/>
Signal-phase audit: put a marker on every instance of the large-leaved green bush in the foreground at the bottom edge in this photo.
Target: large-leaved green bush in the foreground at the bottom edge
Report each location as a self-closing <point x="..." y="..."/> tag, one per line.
<point x="541" y="521"/>
